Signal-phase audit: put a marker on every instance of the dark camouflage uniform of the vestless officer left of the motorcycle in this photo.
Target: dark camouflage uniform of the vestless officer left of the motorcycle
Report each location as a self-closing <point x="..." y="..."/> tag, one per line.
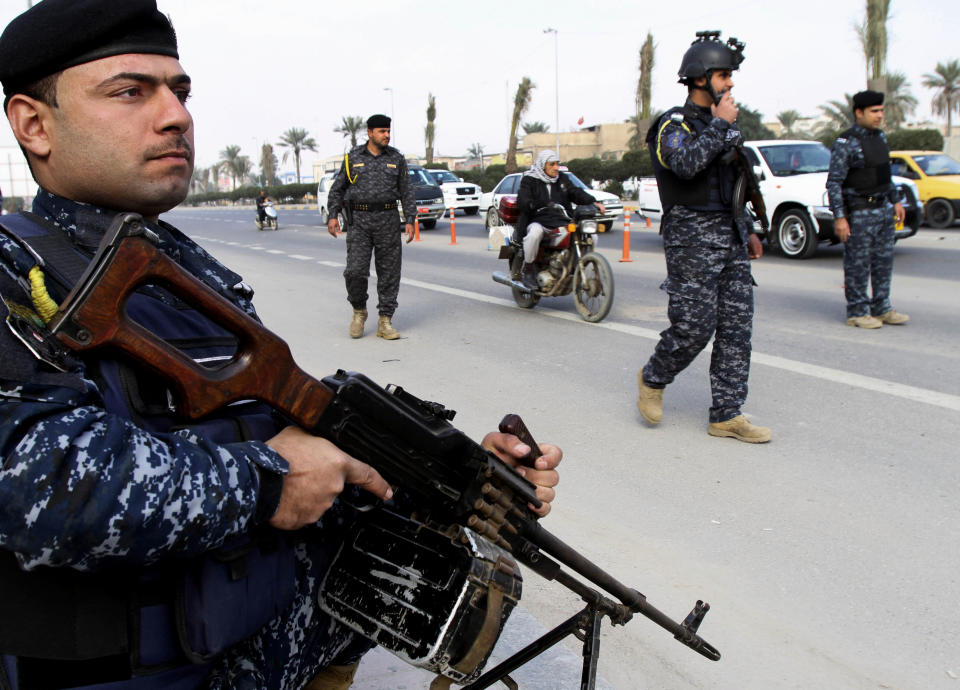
<point x="372" y="180"/>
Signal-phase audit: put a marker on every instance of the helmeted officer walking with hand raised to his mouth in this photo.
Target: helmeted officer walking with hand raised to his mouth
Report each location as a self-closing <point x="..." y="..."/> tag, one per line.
<point x="707" y="241"/>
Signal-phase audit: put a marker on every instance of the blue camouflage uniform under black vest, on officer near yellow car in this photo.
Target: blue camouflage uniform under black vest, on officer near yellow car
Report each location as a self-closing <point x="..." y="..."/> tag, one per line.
<point x="868" y="252"/>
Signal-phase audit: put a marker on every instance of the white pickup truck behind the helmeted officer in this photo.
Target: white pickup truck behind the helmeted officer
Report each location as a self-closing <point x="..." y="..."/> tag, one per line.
<point x="793" y="181"/>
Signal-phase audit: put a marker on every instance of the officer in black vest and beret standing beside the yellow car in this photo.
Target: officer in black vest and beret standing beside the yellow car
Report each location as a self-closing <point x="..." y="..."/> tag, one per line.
<point x="865" y="204"/>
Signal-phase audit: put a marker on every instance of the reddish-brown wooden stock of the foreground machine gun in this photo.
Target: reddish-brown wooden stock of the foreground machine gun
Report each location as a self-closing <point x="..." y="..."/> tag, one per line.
<point x="100" y="319"/>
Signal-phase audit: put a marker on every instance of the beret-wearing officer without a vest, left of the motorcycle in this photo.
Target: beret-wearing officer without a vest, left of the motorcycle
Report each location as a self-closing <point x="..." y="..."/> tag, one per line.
<point x="372" y="177"/>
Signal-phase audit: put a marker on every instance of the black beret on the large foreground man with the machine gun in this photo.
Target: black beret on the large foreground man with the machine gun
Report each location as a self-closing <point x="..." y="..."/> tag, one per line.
<point x="56" y="34"/>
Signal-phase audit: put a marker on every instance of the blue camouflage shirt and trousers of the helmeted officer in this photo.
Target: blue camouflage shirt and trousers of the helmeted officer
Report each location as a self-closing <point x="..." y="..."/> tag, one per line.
<point x="709" y="283"/>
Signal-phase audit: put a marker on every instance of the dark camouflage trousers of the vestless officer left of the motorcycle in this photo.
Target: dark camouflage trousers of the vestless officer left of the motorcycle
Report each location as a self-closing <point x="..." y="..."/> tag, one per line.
<point x="376" y="232"/>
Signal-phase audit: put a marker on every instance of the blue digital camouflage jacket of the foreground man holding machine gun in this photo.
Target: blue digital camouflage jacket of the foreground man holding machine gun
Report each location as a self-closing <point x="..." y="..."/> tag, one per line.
<point x="81" y="484"/>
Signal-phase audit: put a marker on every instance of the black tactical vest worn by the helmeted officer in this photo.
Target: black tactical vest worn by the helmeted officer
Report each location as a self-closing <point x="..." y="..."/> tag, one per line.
<point x="709" y="190"/>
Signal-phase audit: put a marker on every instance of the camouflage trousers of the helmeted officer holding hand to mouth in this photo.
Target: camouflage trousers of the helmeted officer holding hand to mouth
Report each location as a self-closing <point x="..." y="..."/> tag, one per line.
<point x="710" y="294"/>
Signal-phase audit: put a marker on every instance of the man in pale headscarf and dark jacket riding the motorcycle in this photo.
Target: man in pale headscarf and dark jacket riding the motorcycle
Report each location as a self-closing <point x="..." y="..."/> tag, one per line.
<point x="544" y="184"/>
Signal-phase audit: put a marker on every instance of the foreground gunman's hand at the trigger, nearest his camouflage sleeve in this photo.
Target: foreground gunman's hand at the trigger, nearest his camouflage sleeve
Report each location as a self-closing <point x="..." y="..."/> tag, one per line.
<point x="319" y="471"/>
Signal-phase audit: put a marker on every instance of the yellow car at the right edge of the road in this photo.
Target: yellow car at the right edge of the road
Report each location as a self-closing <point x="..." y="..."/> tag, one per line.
<point x="937" y="176"/>
